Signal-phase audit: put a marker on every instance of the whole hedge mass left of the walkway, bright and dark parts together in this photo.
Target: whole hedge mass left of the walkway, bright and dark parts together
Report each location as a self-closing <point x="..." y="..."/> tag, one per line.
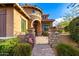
<point x="10" y="47"/>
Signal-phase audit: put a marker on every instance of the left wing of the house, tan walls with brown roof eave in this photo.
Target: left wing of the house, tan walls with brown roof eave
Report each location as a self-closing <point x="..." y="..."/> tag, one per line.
<point x="11" y="18"/>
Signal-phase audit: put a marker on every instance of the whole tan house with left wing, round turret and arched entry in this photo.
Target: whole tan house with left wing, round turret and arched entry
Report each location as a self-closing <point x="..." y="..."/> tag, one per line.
<point x="16" y="20"/>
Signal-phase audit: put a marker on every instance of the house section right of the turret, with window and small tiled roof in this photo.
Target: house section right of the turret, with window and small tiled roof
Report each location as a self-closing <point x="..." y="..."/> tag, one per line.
<point x="46" y="22"/>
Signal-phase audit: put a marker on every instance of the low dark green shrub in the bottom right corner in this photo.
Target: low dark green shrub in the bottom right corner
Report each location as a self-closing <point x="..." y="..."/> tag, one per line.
<point x="66" y="50"/>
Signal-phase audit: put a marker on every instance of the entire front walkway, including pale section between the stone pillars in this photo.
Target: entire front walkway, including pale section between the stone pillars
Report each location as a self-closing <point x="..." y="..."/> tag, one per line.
<point x="42" y="48"/>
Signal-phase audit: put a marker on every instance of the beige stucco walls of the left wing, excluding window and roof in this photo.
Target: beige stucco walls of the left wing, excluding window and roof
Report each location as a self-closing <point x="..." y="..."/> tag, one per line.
<point x="12" y="22"/>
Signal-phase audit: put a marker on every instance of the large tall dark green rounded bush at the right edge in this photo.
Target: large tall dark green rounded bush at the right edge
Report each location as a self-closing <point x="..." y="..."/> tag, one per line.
<point x="74" y="29"/>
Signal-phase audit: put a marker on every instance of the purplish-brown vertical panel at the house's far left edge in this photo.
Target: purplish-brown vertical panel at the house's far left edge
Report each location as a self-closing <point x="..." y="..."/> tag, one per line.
<point x="2" y="22"/>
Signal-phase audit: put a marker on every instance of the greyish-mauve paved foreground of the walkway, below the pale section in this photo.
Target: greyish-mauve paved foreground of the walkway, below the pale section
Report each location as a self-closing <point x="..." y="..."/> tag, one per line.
<point x="42" y="50"/>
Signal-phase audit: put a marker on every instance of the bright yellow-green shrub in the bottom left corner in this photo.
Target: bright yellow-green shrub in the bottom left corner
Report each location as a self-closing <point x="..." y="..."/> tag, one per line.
<point x="7" y="45"/>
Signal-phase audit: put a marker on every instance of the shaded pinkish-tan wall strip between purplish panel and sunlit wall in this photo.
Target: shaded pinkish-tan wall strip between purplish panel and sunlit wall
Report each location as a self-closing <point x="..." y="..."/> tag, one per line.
<point x="9" y="21"/>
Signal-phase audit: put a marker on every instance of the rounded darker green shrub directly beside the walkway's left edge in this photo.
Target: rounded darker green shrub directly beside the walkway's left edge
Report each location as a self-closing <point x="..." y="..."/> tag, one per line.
<point x="22" y="49"/>
